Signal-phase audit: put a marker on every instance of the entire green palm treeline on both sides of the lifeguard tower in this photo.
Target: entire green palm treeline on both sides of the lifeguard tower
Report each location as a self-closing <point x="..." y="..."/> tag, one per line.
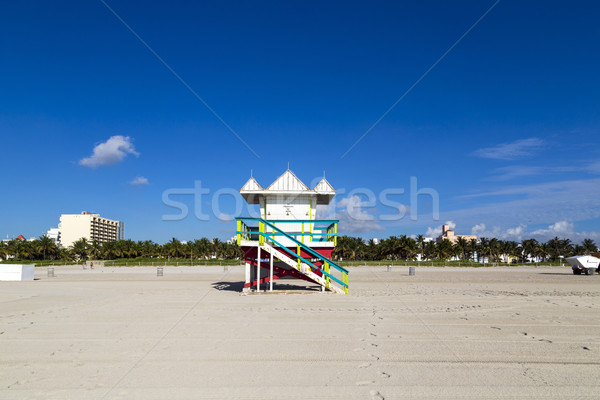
<point x="348" y="249"/>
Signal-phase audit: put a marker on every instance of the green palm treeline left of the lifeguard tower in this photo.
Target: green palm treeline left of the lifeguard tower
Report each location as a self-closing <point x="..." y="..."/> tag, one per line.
<point x="44" y="248"/>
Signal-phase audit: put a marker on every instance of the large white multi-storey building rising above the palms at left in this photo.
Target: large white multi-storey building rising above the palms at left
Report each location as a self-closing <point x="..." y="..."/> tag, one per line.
<point x="90" y="226"/>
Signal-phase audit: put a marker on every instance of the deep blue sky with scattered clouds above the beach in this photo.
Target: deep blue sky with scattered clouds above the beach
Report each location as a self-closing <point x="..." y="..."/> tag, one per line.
<point x="504" y="128"/>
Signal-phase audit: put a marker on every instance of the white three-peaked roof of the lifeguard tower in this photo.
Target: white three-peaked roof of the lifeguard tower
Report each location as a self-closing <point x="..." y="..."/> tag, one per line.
<point x="287" y="184"/>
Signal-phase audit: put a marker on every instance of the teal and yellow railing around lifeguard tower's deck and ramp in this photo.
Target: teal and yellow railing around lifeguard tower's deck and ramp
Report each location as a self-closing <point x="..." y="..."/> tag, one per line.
<point x="244" y="232"/>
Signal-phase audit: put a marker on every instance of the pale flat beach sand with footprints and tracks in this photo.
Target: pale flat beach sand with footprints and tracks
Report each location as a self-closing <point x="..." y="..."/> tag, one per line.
<point x="445" y="333"/>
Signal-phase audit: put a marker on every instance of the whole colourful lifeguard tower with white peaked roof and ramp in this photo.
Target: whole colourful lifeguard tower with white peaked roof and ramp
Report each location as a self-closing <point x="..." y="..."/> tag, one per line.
<point x="287" y="240"/>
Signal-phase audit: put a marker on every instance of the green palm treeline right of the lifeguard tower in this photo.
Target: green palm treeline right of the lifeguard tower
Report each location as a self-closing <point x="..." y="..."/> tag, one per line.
<point x="495" y="250"/>
